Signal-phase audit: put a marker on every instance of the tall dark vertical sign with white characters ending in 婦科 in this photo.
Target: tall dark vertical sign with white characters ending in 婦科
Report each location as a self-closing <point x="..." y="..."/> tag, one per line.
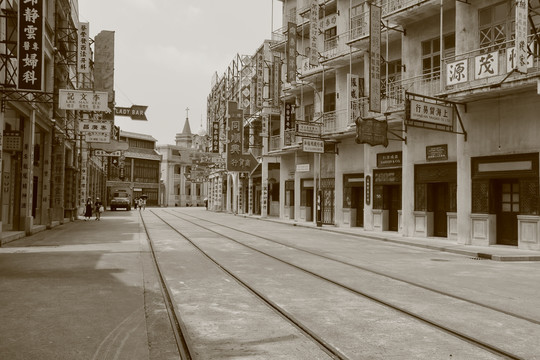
<point x="30" y="45"/>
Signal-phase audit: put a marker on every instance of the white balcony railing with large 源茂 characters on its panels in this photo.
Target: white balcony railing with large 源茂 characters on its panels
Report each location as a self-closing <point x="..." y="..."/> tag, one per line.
<point x="486" y="66"/>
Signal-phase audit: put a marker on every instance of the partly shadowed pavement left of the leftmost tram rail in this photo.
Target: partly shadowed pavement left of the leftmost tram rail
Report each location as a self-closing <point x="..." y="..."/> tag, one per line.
<point x="82" y="290"/>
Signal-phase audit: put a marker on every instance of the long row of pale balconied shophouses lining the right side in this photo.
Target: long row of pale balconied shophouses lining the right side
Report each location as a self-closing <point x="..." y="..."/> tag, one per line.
<point x="416" y="117"/>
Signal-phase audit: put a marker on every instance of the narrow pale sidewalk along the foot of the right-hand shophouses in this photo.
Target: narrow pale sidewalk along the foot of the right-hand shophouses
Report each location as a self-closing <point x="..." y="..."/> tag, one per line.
<point x="494" y="252"/>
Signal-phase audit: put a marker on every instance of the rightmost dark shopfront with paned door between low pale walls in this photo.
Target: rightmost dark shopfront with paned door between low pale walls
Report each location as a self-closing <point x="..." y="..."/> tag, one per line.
<point x="505" y="194"/>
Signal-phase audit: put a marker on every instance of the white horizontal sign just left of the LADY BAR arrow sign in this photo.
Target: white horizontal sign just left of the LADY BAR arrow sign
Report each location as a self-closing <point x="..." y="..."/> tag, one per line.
<point x="82" y="100"/>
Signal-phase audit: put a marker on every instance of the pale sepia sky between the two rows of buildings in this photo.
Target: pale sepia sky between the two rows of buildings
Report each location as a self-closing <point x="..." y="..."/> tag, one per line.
<point x="166" y="52"/>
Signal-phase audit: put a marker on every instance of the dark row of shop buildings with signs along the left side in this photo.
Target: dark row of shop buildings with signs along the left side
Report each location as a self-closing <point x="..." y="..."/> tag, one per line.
<point x="44" y="176"/>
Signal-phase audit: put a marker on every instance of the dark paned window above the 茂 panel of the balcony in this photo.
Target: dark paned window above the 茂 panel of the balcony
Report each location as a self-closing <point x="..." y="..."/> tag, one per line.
<point x="496" y="25"/>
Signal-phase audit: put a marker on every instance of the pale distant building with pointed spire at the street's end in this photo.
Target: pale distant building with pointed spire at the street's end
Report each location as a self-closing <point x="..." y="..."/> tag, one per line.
<point x="184" y="168"/>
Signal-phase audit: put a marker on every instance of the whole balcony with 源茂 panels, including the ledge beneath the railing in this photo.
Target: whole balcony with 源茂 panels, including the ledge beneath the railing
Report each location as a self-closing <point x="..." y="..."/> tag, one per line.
<point x="489" y="69"/>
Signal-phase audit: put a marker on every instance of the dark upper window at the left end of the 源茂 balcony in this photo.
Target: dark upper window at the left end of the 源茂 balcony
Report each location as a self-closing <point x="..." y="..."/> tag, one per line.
<point x="431" y="54"/>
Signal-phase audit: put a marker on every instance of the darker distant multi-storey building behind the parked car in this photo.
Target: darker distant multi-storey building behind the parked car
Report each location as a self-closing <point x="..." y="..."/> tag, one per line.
<point x="137" y="170"/>
